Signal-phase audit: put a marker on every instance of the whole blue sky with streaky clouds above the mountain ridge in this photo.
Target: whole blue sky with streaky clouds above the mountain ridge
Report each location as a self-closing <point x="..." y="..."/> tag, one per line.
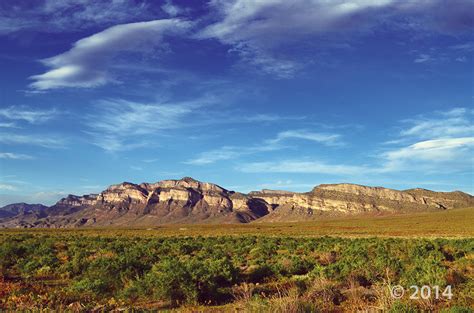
<point x="251" y="95"/>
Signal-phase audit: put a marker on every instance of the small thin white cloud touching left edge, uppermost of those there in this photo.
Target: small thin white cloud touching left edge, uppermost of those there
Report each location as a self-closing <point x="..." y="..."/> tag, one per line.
<point x="30" y="115"/>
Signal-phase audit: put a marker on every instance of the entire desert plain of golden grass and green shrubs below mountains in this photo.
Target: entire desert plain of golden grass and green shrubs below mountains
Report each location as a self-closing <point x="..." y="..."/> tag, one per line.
<point x="260" y="267"/>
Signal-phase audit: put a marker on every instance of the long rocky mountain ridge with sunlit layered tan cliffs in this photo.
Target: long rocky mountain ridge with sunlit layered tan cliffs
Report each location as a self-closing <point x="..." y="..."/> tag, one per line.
<point x="190" y="201"/>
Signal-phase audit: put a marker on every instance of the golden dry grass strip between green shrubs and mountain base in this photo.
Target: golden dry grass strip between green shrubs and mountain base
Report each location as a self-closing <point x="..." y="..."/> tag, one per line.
<point x="457" y="223"/>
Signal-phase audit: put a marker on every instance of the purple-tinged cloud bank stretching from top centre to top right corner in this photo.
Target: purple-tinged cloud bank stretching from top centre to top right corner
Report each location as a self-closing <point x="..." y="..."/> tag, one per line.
<point x="255" y="30"/>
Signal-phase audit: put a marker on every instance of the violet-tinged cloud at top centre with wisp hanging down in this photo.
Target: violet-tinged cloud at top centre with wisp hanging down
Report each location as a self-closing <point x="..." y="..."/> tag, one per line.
<point x="258" y="29"/>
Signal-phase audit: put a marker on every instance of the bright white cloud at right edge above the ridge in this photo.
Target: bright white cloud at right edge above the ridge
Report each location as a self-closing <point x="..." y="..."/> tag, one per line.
<point x="442" y="141"/>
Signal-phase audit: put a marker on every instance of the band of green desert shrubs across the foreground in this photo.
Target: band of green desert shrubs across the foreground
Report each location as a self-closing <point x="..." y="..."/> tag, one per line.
<point x="205" y="270"/>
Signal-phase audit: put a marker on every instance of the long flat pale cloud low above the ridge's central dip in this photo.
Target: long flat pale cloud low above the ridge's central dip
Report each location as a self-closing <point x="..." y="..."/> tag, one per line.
<point x="298" y="166"/>
